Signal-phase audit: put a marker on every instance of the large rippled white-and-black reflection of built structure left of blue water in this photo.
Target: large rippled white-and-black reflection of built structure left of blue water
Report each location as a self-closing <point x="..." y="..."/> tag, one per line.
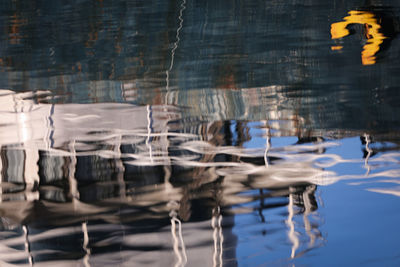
<point x="64" y="164"/>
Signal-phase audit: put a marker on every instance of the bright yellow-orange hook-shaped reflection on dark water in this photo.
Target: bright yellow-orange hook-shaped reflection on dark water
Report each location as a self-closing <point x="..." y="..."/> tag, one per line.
<point x="372" y="33"/>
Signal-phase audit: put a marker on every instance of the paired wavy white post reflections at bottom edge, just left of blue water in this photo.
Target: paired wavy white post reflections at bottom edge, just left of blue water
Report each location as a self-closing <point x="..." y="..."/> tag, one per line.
<point x="218" y="238"/>
